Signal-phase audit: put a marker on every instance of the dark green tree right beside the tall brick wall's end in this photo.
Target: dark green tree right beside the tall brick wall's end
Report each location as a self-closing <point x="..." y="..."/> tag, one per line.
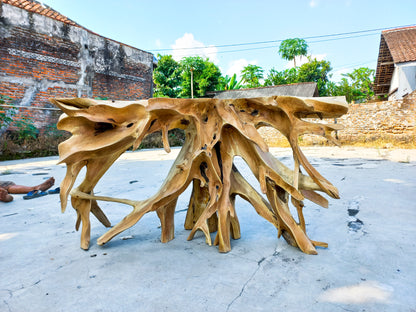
<point x="167" y="77"/>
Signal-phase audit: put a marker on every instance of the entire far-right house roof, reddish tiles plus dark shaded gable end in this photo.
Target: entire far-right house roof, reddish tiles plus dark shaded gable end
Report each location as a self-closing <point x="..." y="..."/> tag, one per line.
<point x="396" y="46"/>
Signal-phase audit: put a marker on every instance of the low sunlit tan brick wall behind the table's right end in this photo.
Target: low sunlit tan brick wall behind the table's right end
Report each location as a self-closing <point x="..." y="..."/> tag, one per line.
<point x="393" y="121"/>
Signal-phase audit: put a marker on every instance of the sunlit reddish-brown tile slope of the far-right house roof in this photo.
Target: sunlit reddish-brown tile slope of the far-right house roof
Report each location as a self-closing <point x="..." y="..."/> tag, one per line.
<point x="401" y="43"/>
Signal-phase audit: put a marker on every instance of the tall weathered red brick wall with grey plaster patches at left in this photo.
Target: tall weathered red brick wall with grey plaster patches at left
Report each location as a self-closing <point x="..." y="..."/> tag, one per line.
<point x="41" y="58"/>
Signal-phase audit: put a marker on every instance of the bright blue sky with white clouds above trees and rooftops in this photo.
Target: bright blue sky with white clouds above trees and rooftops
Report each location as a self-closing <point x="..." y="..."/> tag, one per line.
<point x="168" y="26"/>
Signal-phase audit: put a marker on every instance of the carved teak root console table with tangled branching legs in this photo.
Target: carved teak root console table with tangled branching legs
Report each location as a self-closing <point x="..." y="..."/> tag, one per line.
<point x="216" y="131"/>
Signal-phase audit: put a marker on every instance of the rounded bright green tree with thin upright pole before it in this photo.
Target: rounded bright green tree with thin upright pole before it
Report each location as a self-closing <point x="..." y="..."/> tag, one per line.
<point x="206" y="76"/>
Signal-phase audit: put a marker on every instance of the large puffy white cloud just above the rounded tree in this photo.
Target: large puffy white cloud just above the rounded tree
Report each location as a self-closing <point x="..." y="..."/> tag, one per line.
<point x="187" y="45"/>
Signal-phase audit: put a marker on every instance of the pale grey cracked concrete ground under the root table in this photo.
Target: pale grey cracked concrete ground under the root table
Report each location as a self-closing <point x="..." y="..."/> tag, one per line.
<point x="369" y="265"/>
